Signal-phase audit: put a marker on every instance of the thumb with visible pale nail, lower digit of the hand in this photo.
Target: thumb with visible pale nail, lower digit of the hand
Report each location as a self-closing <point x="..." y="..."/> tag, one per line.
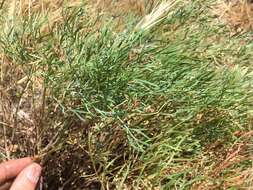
<point x="28" y="178"/>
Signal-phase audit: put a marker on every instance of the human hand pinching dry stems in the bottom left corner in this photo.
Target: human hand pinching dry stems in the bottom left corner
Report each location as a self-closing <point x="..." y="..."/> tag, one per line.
<point x="24" y="172"/>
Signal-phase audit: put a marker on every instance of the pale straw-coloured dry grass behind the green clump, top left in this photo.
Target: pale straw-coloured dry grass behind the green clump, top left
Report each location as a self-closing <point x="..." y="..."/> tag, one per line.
<point x="53" y="9"/>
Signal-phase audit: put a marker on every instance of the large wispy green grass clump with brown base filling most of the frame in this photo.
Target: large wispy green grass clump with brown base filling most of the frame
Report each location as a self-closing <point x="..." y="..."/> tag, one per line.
<point x="147" y="107"/>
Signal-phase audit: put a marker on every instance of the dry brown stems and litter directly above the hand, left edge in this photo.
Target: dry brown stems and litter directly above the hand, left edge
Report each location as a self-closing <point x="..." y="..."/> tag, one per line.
<point x="19" y="107"/>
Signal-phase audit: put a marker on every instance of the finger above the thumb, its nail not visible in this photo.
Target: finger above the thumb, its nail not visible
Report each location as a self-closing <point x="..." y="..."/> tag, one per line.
<point x="12" y="168"/>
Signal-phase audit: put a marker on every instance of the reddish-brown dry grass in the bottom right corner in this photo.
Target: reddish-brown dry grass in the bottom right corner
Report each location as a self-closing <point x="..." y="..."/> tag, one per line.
<point x="225" y="166"/>
